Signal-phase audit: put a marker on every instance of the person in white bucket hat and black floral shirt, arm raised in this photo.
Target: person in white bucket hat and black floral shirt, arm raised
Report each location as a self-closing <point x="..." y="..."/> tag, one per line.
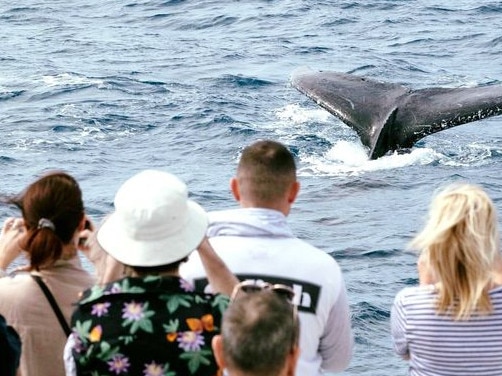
<point x="151" y="322"/>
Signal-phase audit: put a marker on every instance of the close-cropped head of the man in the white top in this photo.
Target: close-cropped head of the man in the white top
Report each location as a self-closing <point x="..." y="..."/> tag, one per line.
<point x="266" y="177"/>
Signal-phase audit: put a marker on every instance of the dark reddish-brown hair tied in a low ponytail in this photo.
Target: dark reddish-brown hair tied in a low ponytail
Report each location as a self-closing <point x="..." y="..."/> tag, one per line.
<point x="56" y="197"/>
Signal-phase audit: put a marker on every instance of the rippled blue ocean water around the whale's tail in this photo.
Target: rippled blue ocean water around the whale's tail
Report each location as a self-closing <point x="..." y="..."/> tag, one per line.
<point x="106" y="88"/>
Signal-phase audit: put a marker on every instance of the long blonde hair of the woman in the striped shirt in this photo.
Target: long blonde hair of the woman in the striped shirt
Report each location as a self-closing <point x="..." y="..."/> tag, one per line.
<point x="460" y="243"/>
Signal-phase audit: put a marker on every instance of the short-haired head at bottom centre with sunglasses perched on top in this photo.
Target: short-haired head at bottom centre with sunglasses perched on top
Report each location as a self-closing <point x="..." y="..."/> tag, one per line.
<point x="259" y="336"/>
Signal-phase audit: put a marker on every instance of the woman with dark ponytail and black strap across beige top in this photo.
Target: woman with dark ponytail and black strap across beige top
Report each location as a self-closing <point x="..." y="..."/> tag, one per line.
<point x="38" y="303"/>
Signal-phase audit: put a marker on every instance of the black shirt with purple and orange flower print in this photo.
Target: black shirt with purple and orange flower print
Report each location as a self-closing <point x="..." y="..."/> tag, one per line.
<point x="147" y="326"/>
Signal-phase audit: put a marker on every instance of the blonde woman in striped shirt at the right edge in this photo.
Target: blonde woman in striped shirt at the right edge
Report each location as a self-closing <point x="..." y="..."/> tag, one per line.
<point x="452" y="323"/>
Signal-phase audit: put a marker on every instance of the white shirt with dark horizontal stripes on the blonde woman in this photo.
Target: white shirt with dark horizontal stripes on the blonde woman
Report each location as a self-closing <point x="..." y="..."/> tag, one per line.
<point x="440" y="346"/>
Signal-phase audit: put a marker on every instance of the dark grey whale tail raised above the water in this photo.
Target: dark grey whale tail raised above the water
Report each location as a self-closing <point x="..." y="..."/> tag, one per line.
<point x="388" y="116"/>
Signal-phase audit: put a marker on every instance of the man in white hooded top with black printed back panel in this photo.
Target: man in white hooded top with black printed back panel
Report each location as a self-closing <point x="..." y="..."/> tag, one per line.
<point x="256" y="242"/>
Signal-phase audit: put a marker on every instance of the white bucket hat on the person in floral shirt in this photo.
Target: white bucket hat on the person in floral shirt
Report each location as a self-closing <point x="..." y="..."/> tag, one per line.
<point x="154" y="222"/>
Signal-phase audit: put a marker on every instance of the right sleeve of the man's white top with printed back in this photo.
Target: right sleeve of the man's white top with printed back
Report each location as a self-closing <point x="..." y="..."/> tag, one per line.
<point x="337" y="342"/>
